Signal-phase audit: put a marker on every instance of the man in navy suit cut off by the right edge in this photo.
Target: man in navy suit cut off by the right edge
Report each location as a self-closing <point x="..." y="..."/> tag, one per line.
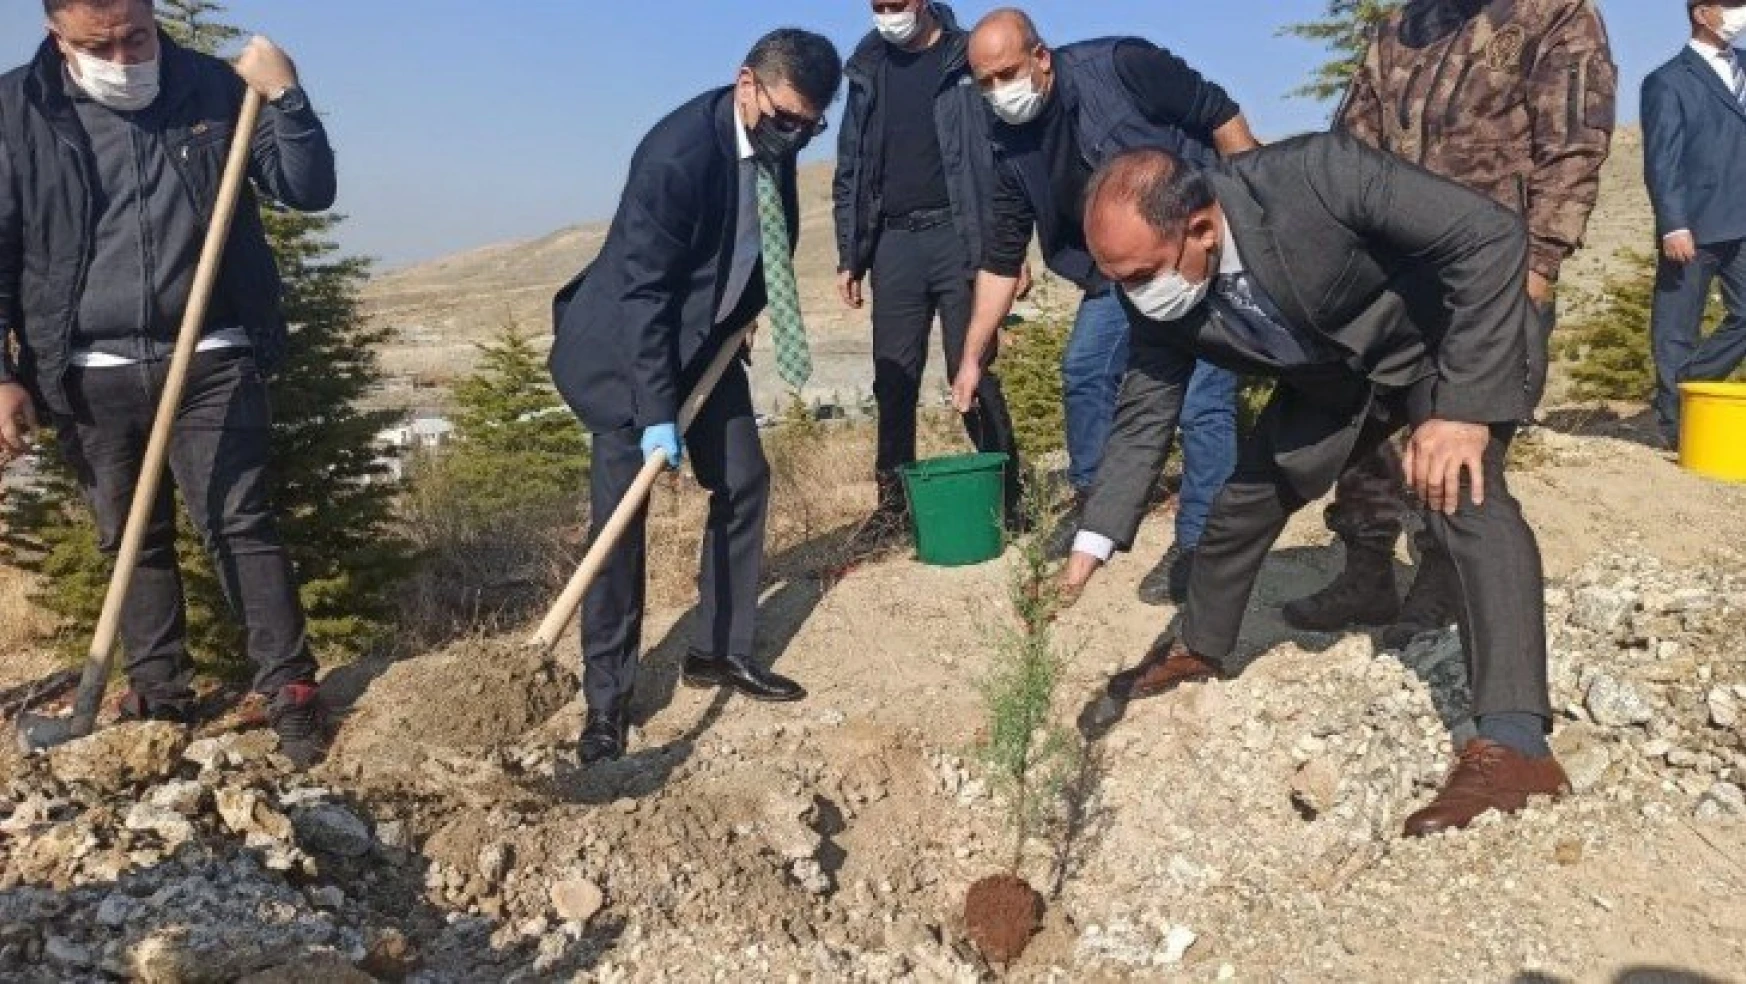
<point x="1694" y="151"/>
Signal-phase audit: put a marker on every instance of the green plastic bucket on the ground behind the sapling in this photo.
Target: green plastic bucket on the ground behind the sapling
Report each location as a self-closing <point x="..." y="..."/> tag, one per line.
<point x="959" y="509"/>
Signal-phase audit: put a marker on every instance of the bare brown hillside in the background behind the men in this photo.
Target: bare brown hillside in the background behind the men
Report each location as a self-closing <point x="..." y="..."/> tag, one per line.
<point x="441" y="310"/>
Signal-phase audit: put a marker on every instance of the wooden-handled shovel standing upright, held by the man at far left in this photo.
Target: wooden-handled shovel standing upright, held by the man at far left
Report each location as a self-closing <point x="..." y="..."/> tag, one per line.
<point x="34" y="732"/>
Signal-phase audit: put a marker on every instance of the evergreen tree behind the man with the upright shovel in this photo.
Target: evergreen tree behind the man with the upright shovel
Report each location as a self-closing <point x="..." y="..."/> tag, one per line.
<point x="334" y="517"/>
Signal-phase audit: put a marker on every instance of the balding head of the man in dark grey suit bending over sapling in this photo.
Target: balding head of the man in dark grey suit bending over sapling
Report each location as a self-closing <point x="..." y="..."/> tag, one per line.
<point x="1148" y="214"/>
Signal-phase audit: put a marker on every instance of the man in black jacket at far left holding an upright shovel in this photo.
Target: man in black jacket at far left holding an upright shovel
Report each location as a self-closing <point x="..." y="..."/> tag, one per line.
<point x="113" y="142"/>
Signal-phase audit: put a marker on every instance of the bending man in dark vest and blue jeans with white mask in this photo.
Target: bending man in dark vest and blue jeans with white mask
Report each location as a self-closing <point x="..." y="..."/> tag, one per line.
<point x="1062" y="114"/>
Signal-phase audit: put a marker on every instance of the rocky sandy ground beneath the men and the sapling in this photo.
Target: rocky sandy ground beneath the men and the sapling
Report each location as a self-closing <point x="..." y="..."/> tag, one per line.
<point x="1242" y="831"/>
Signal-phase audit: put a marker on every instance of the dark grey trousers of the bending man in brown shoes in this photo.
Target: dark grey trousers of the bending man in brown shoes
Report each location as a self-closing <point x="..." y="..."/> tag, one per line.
<point x="1495" y="554"/>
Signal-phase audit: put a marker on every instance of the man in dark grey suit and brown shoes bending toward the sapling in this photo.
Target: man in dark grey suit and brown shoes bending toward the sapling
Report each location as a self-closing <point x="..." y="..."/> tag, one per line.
<point x="1300" y="263"/>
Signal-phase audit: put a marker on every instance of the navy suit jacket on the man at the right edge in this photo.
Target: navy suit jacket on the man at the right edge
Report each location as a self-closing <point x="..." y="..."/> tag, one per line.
<point x="1694" y="151"/>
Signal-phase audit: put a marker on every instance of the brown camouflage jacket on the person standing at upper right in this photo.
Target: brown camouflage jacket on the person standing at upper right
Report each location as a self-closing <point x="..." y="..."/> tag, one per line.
<point x="1513" y="99"/>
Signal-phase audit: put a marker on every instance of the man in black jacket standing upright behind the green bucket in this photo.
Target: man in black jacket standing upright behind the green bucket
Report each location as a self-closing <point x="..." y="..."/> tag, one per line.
<point x="914" y="168"/>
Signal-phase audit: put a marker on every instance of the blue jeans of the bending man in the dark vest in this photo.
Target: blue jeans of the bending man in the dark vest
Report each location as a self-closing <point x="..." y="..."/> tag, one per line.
<point x="1097" y="357"/>
